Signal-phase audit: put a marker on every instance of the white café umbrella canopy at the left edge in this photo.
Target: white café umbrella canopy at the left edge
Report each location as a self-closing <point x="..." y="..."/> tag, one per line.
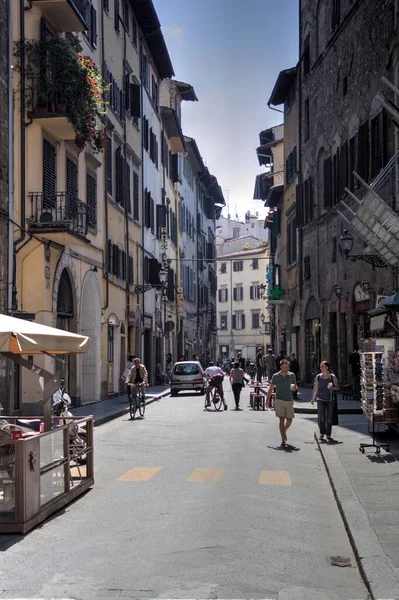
<point x="19" y="336"/>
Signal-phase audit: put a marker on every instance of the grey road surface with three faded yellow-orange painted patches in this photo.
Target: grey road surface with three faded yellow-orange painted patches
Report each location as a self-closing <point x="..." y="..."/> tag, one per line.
<point x="192" y="504"/>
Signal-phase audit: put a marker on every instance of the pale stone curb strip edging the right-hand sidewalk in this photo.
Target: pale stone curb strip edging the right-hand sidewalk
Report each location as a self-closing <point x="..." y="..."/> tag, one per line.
<point x="374" y="565"/>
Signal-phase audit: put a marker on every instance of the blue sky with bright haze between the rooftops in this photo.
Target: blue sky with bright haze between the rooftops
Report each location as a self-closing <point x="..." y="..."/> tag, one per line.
<point x="231" y="52"/>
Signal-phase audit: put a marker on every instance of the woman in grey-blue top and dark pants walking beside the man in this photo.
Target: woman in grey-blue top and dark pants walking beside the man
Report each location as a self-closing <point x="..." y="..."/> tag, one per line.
<point x="324" y="386"/>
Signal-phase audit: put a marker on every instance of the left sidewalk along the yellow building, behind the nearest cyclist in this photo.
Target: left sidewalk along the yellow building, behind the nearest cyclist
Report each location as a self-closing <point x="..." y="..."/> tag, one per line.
<point x="106" y="410"/>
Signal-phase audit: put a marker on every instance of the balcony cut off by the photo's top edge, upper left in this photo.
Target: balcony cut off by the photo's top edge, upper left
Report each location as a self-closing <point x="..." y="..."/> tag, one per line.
<point x="65" y="15"/>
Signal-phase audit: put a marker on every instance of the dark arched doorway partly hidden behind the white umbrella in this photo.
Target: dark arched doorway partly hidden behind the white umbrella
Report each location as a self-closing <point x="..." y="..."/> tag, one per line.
<point x="66" y="320"/>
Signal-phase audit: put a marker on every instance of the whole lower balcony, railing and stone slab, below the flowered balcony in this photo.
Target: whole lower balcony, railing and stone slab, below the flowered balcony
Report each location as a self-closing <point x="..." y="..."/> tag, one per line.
<point x="59" y="217"/>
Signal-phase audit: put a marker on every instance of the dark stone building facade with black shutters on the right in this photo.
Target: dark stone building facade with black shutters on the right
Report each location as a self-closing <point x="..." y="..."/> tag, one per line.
<point x="344" y="129"/>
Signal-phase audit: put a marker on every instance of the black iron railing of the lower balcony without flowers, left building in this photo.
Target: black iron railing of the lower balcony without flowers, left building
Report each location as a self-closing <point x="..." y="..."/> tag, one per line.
<point x="58" y="211"/>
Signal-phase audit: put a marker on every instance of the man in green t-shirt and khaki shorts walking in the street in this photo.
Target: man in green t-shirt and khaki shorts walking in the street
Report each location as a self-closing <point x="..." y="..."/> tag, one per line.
<point x="284" y="382"/>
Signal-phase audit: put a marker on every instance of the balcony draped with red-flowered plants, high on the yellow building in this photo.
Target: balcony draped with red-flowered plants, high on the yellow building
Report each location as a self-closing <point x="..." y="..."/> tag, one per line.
<point x="47" y="103"/>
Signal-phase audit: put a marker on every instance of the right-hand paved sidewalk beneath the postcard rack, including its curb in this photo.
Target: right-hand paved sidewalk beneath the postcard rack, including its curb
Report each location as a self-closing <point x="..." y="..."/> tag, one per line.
<point x="366" y="487"/>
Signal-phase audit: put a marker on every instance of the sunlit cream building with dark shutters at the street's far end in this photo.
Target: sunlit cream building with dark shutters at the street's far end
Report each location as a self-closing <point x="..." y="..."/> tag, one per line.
<point x="242" y="318"/>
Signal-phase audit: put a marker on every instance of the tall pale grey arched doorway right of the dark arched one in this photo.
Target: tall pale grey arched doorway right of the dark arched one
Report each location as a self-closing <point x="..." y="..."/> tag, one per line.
<point x="90" y="389"/>
